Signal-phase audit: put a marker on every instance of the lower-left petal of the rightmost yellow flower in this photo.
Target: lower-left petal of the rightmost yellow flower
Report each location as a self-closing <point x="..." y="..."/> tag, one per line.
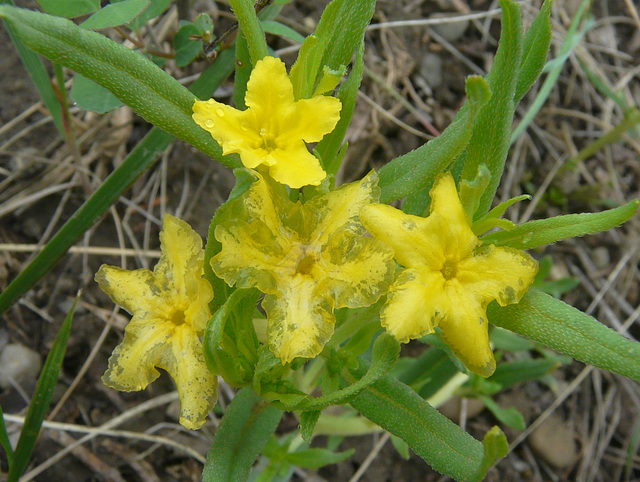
<point x="414" y="305"/>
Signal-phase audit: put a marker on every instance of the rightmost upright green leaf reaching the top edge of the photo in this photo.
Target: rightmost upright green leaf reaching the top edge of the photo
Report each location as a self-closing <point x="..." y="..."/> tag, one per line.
<point x="535" y="49"/>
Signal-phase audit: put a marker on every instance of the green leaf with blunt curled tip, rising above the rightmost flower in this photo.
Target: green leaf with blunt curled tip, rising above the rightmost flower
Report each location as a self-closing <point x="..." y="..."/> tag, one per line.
<point x="417" y="169"/>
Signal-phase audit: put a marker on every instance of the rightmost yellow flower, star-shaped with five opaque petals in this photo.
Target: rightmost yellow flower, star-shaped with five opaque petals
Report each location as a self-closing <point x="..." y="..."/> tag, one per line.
<point x="449" y="280"/>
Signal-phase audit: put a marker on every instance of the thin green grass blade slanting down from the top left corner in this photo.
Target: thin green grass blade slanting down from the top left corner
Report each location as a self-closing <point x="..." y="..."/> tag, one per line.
<point x="38" y="74"/>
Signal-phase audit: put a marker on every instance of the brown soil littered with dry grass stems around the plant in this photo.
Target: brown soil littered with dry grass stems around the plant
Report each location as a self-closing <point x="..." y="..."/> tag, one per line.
<point x="582" y="423"/>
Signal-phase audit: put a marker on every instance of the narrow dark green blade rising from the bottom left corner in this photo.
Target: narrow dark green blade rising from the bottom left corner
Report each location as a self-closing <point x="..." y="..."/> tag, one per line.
<point x="41" y="398"/>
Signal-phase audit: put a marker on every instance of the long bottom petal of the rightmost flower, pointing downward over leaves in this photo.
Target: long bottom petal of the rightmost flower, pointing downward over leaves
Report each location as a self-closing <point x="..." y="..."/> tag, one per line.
<point x="466" y="330"/>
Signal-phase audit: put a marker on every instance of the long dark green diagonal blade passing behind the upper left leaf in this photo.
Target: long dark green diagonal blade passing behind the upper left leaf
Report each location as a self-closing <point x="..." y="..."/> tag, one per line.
<point x="139" y="160"/>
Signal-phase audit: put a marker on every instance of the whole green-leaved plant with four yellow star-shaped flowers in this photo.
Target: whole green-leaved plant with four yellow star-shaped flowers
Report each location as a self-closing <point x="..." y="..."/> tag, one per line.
<point x="305" y="289"/>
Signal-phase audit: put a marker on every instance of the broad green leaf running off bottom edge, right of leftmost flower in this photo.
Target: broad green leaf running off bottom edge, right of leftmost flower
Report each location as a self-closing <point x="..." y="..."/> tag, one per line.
<point x="247" y="425"/>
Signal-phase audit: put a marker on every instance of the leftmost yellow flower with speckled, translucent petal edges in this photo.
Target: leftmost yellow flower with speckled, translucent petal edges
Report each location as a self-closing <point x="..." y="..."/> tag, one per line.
<point x="170" y="312"/>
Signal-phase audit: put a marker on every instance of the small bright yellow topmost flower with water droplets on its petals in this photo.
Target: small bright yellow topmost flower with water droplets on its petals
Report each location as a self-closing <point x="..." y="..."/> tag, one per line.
<point x="274" y="128"/>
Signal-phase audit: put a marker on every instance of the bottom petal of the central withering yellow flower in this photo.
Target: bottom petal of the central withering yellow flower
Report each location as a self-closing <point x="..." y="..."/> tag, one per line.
<point x="300" y="320"/>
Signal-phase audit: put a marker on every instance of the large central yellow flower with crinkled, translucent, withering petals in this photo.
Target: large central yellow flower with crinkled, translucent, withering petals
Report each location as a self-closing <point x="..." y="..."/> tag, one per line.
<point x="308" y="258"/>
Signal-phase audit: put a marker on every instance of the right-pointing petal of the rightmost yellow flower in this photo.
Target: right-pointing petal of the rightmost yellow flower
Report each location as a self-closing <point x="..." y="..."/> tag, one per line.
<point x="501" y="274"/>
